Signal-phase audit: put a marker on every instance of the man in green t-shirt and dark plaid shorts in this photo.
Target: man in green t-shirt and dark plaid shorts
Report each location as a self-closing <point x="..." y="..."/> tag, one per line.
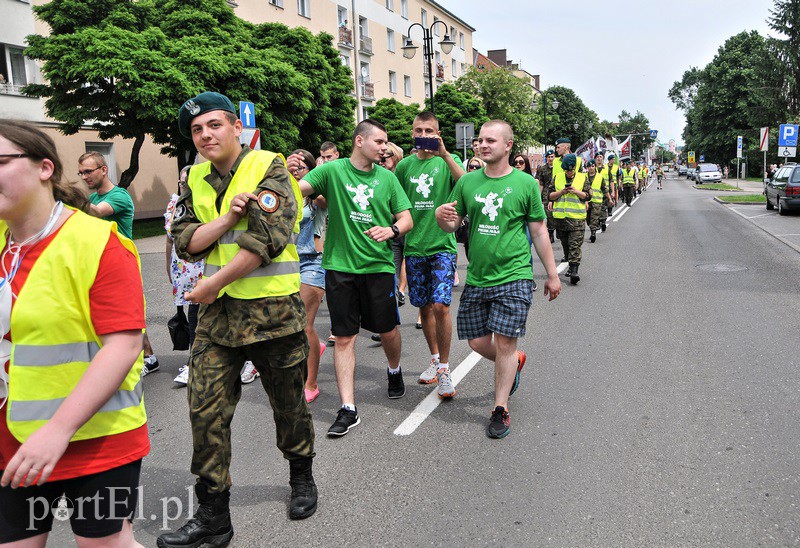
<point x="500" y="202"/>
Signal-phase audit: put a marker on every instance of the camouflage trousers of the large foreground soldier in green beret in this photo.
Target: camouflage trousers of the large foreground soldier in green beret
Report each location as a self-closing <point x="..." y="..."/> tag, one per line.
<point x="215" y="388"/>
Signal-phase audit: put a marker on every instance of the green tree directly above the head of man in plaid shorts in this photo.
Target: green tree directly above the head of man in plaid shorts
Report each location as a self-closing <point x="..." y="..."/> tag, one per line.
<point x="504" y="97"/>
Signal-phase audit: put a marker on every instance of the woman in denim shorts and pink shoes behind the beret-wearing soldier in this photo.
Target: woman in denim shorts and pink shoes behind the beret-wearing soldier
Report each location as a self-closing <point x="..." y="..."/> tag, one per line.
<point x="312" y="275"/>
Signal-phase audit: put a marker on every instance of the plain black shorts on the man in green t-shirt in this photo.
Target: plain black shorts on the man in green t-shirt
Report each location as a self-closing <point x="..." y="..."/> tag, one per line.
<point x="361" y="300"/>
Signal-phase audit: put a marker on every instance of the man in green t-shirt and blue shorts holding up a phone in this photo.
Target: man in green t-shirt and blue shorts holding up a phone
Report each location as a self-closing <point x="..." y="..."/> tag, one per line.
<point x="428" y="178"/>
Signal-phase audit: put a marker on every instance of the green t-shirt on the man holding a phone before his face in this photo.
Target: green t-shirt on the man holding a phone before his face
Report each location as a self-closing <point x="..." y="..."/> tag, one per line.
<point x="428" y="184"/>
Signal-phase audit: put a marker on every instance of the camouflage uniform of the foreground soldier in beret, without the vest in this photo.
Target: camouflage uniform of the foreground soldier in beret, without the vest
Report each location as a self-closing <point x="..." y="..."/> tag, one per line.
<point x="268" y="331"/>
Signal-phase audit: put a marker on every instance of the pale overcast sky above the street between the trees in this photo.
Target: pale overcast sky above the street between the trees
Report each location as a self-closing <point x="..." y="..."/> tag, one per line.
<point x="615" y="56"/>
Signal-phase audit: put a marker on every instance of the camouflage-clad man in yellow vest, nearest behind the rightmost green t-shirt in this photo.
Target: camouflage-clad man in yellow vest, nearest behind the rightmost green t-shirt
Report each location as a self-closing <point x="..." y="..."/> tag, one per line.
<point x="569" y="191"/>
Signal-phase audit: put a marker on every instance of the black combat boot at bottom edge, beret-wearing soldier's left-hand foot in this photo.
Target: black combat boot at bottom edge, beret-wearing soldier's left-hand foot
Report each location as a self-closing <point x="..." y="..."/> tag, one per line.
<point x="210" y="526"/>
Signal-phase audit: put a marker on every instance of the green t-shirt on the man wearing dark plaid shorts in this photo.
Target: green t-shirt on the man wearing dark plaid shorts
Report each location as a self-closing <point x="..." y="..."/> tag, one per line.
<point x="498" y="211"/>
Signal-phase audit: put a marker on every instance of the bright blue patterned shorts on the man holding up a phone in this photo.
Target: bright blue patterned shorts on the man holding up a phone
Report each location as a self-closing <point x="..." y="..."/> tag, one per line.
<point x="430" y="279"/>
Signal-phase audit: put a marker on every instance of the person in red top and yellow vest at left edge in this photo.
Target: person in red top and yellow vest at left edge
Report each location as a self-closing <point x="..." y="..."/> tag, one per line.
<point x="96" y="473"/>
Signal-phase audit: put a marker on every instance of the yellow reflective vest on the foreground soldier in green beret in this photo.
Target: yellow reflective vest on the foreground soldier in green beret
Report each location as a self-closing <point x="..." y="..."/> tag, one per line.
<point x="282" y="275"/>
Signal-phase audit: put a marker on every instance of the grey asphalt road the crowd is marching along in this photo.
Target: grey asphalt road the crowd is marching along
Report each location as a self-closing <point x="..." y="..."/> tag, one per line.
<point x="659" y="407"/>
